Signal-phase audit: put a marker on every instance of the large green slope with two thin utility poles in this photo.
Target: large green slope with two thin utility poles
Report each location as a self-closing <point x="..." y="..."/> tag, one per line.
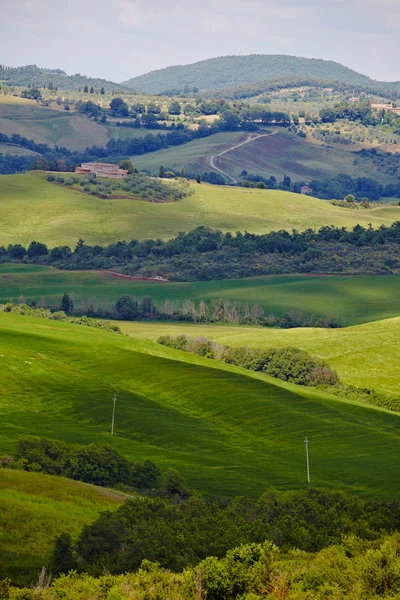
<point x="227" y="430"/>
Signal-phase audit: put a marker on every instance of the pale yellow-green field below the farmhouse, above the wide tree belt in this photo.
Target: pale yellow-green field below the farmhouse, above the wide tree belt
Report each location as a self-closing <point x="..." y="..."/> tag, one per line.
<point x="32" y="208"/>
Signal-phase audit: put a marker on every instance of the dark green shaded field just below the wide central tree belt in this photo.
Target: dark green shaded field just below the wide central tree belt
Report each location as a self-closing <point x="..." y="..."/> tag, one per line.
<point x="352" y="300"/>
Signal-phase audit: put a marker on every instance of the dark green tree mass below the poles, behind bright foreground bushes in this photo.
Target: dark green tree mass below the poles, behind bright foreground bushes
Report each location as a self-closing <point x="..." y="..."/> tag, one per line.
<point x="178" y="535"/>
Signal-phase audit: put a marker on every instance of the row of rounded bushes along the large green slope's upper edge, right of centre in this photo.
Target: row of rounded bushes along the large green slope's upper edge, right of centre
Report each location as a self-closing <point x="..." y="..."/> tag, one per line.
<point x="289" y="364"/>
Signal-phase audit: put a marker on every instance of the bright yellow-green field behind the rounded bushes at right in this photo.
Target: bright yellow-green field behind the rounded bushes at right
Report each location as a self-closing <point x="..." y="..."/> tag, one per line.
<point x="365" y="355"/>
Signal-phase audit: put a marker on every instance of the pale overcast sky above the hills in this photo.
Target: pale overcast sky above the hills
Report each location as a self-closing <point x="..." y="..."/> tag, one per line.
<point x="119" y="39"/>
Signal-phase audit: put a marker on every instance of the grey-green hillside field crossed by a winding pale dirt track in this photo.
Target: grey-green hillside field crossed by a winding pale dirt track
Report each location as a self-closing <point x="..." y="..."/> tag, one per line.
<point x="280" y="154"/>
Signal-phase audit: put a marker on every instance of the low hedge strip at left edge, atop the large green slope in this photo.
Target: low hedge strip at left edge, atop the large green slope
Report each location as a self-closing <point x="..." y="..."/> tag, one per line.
<point x="62" y="314"/>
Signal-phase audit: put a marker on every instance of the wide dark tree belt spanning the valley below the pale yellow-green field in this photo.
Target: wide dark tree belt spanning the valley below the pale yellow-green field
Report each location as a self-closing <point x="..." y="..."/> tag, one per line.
<point x="204" y="253"/>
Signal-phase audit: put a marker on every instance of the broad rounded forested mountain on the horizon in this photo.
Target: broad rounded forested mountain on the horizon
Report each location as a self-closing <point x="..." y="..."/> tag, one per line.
<point x="232" y="71"/>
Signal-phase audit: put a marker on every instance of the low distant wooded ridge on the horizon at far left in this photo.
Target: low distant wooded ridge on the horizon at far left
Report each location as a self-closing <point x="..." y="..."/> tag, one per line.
<point x="36" y="76"/>
